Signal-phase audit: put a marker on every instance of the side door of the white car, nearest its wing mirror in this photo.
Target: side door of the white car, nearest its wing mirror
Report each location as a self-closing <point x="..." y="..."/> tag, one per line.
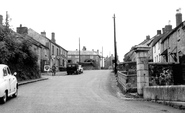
<point x="6" y="79"/>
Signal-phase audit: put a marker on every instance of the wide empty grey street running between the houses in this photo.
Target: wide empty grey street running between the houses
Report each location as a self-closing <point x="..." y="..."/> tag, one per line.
<point x="89" y="92"/>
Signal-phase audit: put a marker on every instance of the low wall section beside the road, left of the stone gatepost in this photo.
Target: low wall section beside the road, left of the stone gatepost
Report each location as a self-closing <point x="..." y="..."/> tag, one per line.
<point x="128" y="82"/>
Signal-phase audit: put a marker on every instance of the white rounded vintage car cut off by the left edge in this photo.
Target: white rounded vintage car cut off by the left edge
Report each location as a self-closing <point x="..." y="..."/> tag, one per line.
<point x="8" y="83"/>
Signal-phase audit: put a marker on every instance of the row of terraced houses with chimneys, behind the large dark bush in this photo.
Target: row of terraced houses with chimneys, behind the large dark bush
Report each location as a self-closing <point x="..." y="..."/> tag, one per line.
<point x="47" y="50"/>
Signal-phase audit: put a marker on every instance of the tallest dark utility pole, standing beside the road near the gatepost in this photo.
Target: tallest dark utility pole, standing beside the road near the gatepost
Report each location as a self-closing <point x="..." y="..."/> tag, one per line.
<point x="115" y="47"/>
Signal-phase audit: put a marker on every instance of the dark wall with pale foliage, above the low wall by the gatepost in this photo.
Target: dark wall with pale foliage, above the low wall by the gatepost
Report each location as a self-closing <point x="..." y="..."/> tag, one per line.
<point x="166" y="74"/>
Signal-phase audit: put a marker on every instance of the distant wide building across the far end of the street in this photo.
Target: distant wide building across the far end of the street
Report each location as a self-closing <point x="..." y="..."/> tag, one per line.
<point x="85" y="57"/>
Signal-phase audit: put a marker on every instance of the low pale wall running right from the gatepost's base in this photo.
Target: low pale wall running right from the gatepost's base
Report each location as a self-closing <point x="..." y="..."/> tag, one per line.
<point x="166" y="93"/>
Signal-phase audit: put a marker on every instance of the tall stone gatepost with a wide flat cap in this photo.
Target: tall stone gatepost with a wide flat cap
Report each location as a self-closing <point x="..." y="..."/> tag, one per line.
<point x="142" y="67"/>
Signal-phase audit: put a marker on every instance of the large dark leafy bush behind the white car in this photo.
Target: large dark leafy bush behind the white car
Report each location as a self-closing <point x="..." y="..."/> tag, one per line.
<point x="17" y="54"/>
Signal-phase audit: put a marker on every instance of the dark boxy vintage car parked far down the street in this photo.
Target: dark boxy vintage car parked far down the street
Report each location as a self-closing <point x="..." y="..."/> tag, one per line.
<point x="73" y="68"/>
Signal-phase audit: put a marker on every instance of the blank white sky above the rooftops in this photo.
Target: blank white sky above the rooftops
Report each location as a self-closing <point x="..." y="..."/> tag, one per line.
<point x="92" y="21"/>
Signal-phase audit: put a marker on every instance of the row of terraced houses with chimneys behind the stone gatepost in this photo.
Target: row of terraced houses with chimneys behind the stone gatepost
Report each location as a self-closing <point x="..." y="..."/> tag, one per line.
<point x="167" y="46"/>
